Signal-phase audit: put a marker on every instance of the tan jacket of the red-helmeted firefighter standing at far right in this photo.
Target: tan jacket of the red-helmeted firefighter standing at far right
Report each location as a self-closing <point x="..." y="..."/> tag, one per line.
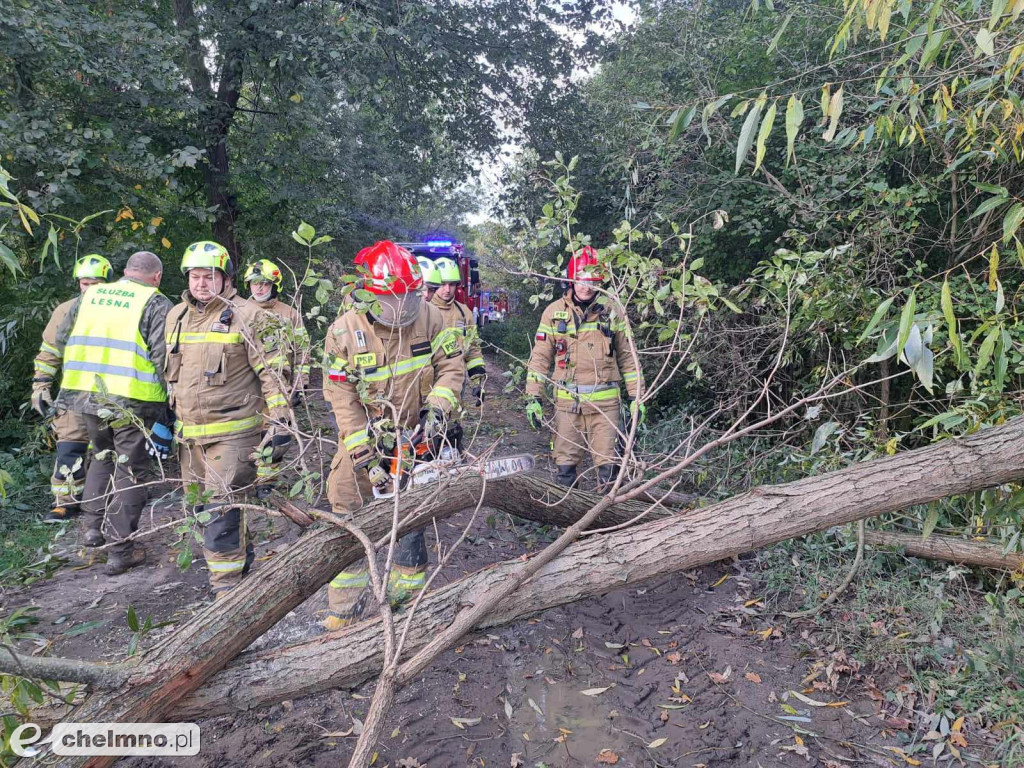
<point x="586" y="355"/>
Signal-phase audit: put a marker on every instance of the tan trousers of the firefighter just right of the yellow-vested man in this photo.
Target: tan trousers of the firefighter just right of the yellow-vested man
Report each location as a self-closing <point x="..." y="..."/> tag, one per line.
<point x="222" y="471"/>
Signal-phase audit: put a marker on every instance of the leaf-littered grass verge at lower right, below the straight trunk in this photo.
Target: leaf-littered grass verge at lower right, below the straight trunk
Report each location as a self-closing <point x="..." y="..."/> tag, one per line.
<point x="941" y="647"/>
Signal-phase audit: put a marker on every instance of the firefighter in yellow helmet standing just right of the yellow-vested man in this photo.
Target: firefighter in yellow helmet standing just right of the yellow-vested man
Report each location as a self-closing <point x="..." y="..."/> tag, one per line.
<point x="226" y="387"/>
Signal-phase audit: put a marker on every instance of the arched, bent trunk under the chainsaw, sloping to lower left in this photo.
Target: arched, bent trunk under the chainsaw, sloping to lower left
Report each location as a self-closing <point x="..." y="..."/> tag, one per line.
<point x="182" y="663"/>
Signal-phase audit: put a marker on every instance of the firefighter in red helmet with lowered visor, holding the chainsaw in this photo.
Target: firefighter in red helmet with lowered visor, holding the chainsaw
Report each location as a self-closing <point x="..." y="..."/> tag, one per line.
<point x="385" y="354"/>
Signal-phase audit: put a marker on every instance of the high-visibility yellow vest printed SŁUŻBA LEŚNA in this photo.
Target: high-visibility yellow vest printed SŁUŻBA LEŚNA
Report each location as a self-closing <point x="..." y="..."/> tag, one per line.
<point x="106" y="353"/>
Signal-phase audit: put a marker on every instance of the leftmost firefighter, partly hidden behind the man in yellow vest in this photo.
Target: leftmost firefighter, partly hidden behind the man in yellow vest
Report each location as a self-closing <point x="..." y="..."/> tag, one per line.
<point x="73" y="439"/>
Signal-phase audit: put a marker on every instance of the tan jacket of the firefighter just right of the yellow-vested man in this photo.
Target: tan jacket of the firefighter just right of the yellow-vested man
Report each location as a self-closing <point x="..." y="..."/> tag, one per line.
<point x="221" y="376"/>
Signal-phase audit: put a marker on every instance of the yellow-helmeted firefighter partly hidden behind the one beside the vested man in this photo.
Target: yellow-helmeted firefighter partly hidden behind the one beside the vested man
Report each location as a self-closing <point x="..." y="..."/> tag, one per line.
<point x="266" y="280"/>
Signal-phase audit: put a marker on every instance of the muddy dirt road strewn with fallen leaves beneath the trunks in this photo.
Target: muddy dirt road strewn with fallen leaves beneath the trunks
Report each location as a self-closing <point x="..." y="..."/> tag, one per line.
<point x="682" y="672"/>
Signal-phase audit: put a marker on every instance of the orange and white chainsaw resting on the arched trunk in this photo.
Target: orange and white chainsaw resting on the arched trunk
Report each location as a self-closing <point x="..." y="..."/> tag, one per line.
<point x="411" y="465"/>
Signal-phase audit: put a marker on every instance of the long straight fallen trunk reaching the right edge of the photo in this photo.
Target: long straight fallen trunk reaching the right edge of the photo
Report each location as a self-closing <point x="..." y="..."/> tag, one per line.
<point x="606" y="563"/>
